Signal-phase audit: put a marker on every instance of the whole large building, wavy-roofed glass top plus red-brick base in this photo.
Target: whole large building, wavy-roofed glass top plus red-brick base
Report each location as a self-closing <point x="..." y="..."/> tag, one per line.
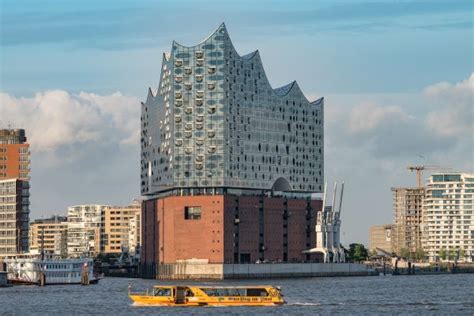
<point x="229" y="165"/>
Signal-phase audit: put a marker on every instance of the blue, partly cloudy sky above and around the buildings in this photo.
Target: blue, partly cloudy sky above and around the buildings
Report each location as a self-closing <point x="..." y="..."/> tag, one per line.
<point x="397" y="77"/>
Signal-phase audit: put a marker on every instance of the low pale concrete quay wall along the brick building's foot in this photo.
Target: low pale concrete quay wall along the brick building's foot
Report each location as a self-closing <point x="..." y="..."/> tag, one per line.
<point x="194" y="271"/>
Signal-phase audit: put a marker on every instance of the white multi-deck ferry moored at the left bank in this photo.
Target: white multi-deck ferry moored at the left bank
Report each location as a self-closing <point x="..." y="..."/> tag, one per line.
<point x="30" y="269"/>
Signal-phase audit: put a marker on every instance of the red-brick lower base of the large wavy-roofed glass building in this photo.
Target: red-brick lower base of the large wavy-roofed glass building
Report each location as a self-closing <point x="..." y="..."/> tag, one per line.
<point x="227" y="229"/>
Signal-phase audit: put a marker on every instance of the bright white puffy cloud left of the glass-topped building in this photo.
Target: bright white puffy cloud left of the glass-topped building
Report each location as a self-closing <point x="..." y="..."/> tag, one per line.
<point x="55" y="118"/>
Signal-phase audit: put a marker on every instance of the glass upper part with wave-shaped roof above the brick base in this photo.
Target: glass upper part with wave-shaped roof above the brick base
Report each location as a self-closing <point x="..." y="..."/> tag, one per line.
<point x="216" y="124"/>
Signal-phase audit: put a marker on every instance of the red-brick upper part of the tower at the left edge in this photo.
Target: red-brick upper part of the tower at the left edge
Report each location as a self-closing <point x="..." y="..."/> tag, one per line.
<point x="14" y="155"/>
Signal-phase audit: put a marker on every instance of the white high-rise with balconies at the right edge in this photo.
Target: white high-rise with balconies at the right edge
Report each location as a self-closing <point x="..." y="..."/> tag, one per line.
<point x="448" y="222"/>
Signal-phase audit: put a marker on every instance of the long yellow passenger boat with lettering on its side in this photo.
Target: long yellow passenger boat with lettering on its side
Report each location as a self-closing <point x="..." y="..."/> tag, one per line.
<point x="194" y="295"/>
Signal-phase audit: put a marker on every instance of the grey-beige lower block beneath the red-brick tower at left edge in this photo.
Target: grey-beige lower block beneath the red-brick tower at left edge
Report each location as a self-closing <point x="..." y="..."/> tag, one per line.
<point x="14" y="216"/>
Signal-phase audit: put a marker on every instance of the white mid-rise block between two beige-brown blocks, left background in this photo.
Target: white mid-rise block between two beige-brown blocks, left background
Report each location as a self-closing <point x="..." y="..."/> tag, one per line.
<point x="85" y="230"/>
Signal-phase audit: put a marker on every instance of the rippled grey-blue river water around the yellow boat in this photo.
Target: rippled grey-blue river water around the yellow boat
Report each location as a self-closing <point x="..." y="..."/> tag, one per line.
<point x="429" y="294"/>
